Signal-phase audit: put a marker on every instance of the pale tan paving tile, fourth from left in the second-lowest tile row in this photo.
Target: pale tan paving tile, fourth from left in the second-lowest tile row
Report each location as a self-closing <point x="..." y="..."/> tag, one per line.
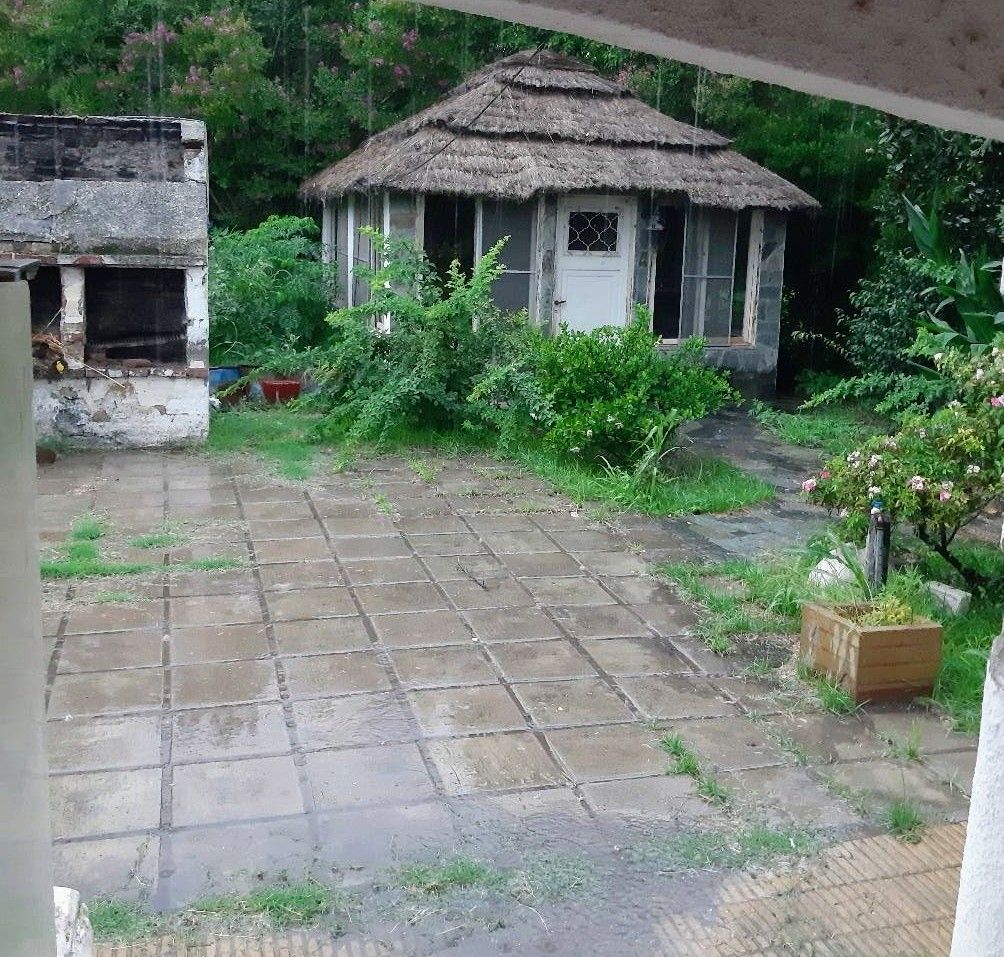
<point x="493" y="763"/>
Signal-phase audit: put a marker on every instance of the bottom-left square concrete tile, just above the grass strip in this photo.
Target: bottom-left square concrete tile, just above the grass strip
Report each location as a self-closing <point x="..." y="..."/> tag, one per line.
<point x="121" y="868"/>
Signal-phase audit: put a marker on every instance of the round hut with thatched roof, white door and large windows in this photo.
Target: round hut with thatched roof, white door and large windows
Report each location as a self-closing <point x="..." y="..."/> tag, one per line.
<point x="614" y="201"/>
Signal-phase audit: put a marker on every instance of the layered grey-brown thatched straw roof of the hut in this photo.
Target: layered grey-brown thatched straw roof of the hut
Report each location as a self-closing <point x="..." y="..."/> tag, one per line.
<point x="544" y="123"/>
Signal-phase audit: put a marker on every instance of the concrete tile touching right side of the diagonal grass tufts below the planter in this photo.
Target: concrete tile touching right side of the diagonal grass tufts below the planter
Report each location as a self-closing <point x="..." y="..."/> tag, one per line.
<point x="788" y="796"/>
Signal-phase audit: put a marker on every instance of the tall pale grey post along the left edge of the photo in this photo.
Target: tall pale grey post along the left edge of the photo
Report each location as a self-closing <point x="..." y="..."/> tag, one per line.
<point x="27" y="912"/>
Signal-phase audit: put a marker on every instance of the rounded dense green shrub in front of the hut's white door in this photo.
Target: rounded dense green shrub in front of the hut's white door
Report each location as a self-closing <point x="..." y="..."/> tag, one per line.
<point x="611" y="391"/>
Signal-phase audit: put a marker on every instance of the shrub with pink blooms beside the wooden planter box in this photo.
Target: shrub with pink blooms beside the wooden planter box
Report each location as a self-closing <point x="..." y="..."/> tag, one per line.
<point x="939" y="472"/>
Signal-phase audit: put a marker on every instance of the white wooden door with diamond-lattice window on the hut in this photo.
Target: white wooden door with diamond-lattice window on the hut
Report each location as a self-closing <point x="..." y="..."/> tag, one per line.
<point x="594" y="260"/>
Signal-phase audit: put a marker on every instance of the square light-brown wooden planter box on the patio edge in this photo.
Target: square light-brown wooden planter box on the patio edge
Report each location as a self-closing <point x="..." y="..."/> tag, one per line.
<point x="872" y="662"/>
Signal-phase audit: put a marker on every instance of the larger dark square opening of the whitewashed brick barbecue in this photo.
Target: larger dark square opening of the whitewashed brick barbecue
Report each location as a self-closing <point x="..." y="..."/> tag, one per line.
<point x="135" y="314"/>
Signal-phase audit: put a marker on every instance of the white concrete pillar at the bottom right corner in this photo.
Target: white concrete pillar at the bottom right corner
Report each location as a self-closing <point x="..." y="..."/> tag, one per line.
<point x="979" y="918"/>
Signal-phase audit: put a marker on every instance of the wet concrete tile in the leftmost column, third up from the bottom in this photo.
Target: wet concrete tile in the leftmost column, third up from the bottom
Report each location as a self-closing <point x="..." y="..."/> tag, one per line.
<point x="83" y="745"/>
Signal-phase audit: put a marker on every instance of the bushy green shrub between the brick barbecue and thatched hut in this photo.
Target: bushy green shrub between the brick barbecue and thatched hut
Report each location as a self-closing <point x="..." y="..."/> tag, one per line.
<point x="268" y="288"/>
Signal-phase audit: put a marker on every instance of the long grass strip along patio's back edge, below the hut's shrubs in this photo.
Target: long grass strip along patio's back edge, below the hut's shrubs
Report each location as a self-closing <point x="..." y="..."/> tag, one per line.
<point x="691" y="485"/>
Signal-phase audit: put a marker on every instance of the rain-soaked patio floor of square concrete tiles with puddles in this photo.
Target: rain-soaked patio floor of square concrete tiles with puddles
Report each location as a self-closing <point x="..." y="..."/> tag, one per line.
<point x="407" y="668"/>
